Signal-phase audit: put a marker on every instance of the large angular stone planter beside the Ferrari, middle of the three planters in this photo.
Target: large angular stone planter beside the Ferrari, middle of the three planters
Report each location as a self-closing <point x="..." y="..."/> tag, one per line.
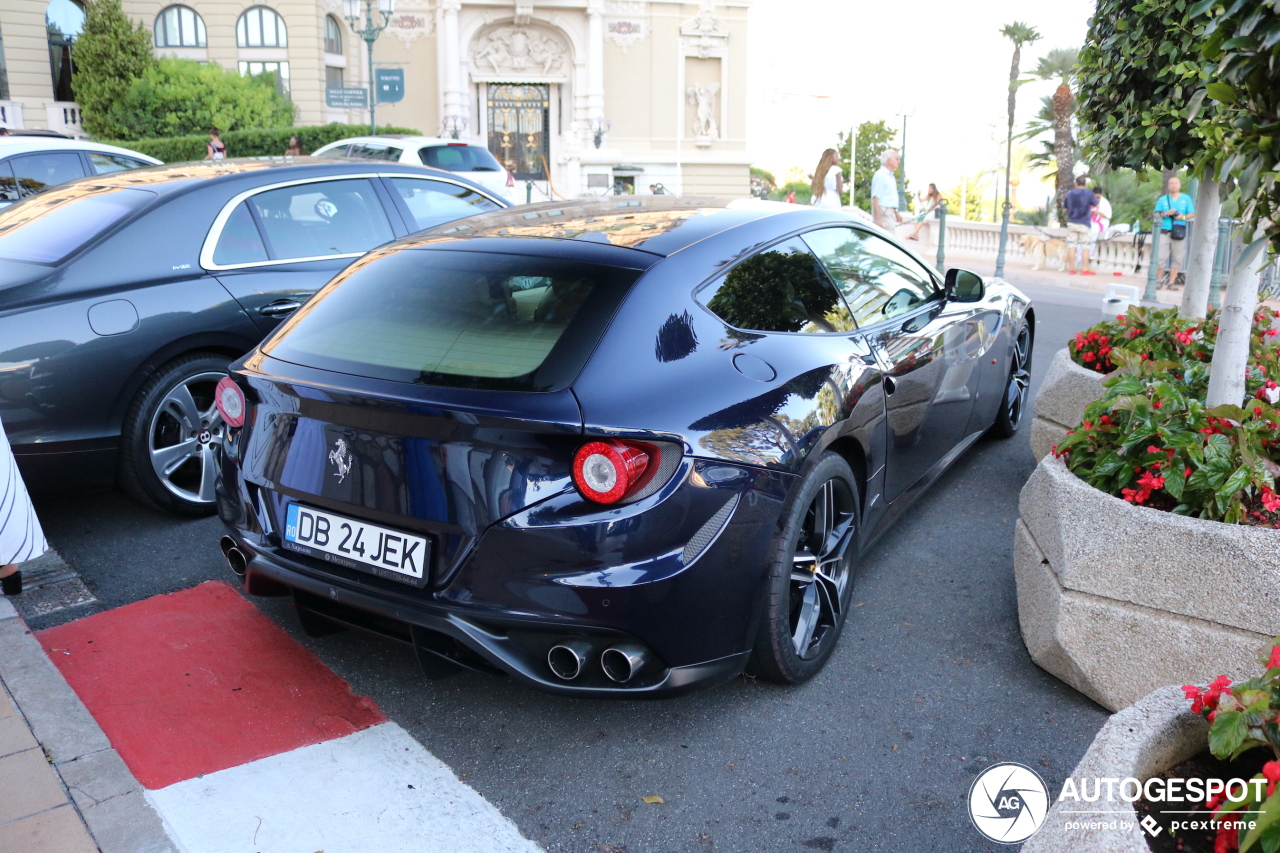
<point x="1119" y="600"/>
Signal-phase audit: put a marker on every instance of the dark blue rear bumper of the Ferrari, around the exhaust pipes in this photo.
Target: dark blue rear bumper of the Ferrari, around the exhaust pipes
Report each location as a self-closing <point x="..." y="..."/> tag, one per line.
<point x="546" y="576"/>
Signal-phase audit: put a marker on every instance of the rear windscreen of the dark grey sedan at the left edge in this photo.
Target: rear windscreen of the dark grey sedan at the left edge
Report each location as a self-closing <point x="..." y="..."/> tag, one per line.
<point x="52" y="226"/>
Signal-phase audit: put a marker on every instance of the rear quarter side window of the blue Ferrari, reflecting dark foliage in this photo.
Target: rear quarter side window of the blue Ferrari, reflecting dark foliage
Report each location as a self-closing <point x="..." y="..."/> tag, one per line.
<point x="783" y="289"/>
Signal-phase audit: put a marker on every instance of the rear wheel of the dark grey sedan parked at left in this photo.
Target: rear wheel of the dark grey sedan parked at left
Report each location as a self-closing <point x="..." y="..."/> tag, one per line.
<point x="171" y="437"/>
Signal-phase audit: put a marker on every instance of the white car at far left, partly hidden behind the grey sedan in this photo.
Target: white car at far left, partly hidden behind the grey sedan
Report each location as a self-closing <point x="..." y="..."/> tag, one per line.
<point x="30" y="165"/>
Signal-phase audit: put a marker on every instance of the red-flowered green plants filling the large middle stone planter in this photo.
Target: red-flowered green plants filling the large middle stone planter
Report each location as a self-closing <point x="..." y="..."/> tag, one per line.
<point x="1153" y="441"/>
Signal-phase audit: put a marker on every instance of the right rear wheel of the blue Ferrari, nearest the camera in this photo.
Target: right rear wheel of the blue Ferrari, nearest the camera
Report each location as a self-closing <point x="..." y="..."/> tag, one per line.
<point x="811" y="576"/>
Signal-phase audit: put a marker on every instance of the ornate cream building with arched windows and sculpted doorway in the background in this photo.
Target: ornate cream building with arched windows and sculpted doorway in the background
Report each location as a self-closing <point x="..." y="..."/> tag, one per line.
<point x="579" y="97"/>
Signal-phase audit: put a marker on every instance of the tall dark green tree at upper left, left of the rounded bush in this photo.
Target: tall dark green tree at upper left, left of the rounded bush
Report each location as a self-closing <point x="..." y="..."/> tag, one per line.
<point x="111" y="54"/>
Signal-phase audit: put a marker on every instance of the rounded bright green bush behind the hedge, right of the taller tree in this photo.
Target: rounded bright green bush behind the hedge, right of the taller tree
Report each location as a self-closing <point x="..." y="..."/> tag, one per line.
<point x="180" y="97"/>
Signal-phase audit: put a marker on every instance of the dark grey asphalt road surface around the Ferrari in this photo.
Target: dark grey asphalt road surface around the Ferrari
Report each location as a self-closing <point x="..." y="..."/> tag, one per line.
<point x="930" y="686"/>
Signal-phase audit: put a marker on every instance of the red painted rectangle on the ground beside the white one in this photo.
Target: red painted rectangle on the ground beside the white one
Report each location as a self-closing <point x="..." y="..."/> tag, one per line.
<point x="200" y="681"/>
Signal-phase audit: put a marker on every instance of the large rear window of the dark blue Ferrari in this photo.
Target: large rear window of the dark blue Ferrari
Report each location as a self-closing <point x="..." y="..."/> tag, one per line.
<point x="456" y="318"/>
